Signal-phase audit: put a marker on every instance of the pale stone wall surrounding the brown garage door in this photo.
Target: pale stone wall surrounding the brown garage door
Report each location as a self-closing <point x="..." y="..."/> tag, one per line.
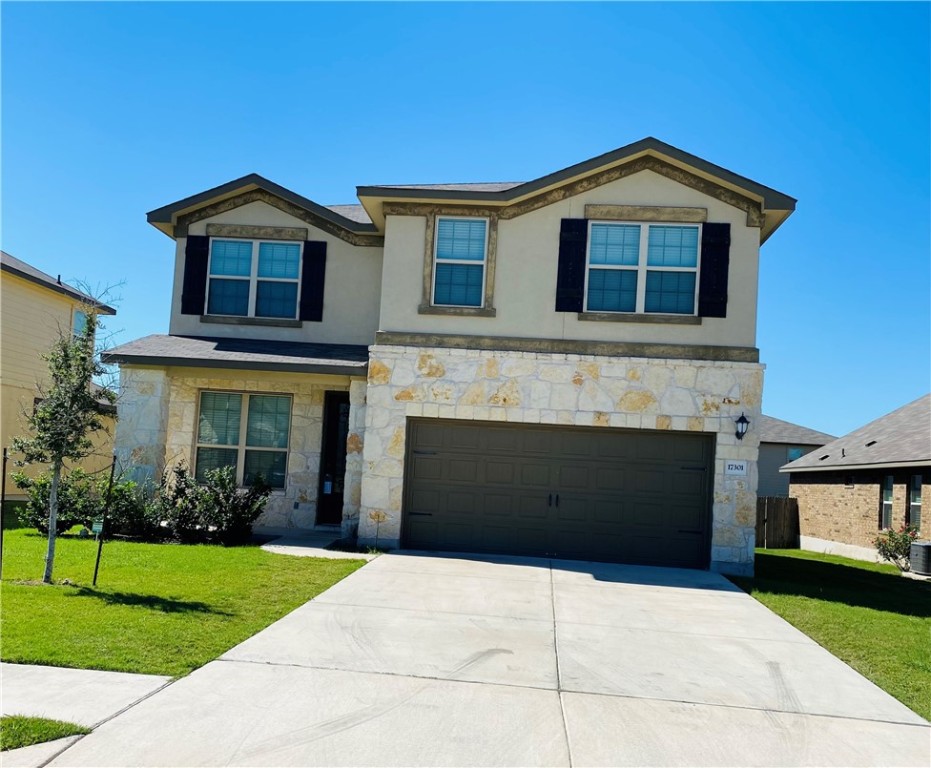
<point x="582" y="390"/>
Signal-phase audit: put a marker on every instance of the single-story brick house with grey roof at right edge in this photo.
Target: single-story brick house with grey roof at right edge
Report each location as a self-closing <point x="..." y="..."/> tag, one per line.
<point x="871" y="479"/>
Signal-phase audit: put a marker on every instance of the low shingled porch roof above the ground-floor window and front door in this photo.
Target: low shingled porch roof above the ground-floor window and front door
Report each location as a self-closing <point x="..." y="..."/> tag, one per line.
<point x="244" y="354"/>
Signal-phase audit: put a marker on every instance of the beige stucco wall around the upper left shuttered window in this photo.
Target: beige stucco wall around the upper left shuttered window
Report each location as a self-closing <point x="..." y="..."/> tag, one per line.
<point x="351" y="293"/>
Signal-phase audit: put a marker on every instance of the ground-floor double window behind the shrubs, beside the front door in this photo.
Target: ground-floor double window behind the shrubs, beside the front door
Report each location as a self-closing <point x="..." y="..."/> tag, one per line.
<point x="247" y="432"/>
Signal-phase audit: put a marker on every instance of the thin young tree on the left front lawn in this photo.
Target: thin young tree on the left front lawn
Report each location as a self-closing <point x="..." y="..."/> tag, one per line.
<point x="67" y="414"/>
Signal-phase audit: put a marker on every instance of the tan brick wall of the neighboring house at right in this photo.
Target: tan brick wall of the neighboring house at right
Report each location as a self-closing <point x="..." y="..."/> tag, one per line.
<point x="831" y="511"/>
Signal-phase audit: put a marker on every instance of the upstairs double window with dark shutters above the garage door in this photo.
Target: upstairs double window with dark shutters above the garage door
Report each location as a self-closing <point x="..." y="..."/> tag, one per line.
<point x="643" y="268"/>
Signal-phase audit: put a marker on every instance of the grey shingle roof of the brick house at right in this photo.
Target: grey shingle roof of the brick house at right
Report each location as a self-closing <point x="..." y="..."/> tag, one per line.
<point x="901" y="438"/>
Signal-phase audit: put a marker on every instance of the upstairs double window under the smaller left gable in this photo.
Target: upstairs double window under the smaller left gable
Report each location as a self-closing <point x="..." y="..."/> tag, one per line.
<point x="251" y="278"/>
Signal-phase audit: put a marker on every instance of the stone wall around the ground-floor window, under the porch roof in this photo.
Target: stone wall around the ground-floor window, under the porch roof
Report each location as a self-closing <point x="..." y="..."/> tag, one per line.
<point x="158" y="421"/>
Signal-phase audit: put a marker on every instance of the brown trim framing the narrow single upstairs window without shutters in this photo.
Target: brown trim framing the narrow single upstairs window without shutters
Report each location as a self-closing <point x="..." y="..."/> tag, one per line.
<point x="487" y="308"/>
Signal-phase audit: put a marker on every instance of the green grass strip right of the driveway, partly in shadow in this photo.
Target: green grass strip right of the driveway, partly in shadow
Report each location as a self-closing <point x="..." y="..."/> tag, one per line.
<point x="864" y="613"/>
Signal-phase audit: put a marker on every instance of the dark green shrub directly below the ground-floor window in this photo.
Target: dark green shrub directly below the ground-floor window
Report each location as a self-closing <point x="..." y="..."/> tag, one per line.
<point x="215" y="510"/>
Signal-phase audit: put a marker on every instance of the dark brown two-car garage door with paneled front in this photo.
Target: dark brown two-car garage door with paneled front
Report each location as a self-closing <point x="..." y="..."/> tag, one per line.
<point x="595" y="494"/>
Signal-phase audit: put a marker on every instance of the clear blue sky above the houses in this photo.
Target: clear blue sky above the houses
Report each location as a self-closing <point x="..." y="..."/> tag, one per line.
<point x="110" y="110"/>
